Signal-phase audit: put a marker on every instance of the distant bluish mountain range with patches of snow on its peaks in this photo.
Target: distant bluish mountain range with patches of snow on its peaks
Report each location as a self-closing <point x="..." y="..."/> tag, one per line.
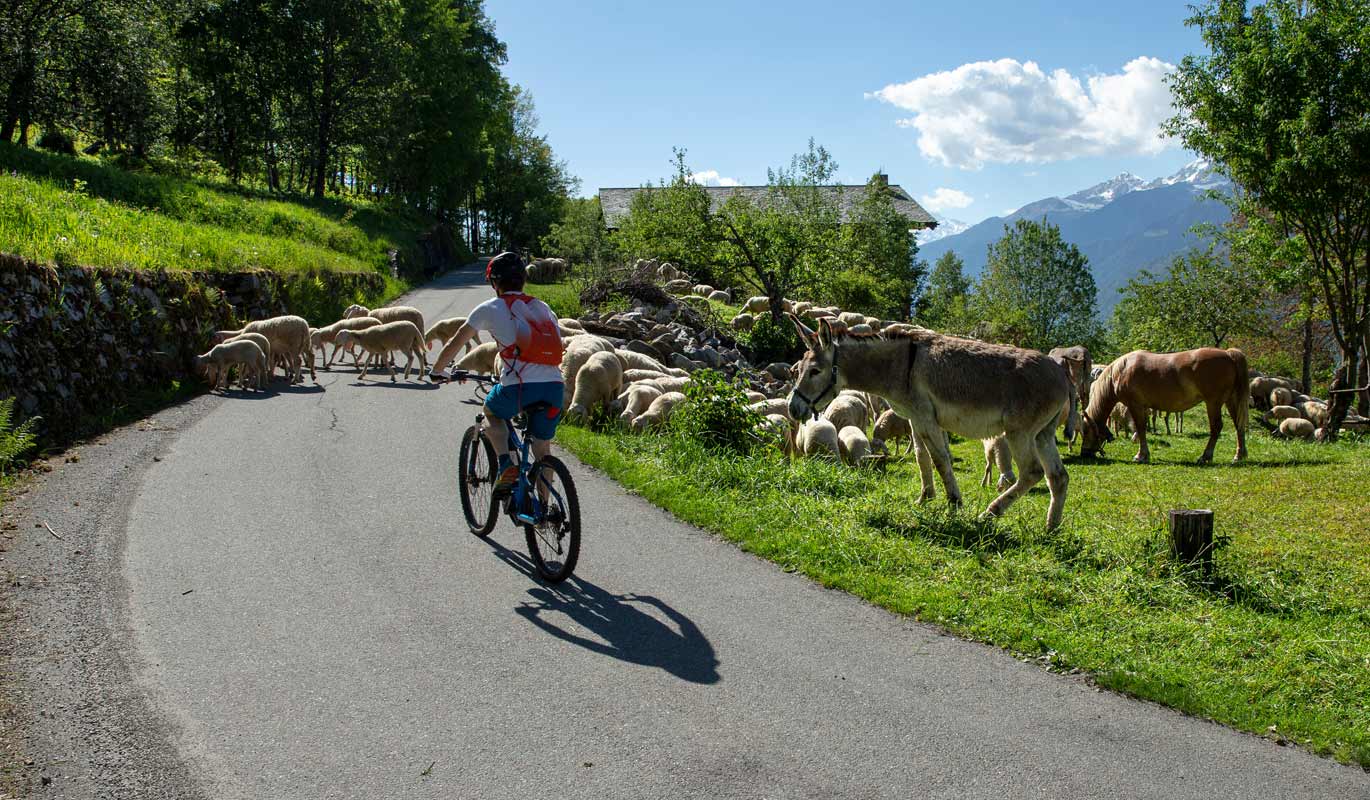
<point x="1123" y="225"/>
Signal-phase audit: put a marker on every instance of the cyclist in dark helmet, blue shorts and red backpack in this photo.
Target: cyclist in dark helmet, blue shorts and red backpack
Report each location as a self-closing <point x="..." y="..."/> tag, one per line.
<point x="531" y="354"/>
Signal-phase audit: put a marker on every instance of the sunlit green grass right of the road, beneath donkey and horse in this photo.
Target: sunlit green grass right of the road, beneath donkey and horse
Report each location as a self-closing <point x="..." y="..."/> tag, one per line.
<point x="1278" y="643"/>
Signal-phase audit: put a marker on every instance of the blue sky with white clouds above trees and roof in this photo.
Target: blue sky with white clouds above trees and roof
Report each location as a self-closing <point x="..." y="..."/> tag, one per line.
<point x="979" y="108"/>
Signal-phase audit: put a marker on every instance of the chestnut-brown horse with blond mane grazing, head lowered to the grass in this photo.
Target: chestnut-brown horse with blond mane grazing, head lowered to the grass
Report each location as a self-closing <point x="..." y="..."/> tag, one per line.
<point x="1180" y="382"/>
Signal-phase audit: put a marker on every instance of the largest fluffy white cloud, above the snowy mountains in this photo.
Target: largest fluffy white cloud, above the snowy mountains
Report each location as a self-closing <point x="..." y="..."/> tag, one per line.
<point x="1012" y="112"/>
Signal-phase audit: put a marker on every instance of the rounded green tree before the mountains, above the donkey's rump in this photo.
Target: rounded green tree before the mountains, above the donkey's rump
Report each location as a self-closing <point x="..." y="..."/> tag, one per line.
<point x="1039" y="287"/>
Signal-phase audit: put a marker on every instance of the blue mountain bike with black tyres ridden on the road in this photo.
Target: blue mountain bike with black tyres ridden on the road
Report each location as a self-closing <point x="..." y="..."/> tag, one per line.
<point x="543" y="502"/>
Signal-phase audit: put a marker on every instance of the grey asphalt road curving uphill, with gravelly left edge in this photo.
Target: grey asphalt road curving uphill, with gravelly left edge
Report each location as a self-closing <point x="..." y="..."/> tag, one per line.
<point x="287" y="605"/>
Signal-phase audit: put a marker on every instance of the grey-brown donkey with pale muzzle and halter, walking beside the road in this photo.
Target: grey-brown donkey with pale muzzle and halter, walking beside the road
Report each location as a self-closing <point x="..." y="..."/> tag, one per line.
<point x="942" y="383"/>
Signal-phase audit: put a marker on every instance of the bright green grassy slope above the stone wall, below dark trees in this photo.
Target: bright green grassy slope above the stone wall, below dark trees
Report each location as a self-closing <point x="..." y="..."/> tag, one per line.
<point x="84" y="212"/>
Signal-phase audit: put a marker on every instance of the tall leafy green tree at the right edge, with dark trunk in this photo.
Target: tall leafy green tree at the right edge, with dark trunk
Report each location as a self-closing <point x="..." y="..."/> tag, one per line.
<point x="1282" y="103"/>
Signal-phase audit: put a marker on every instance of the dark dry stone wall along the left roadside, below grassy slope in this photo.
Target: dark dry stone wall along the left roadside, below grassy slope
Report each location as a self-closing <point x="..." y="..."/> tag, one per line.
<point x="79" y="342"/>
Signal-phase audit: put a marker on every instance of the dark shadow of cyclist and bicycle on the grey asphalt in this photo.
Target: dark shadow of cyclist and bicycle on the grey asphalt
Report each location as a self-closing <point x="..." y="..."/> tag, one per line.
<point x="628" y="627"/>
